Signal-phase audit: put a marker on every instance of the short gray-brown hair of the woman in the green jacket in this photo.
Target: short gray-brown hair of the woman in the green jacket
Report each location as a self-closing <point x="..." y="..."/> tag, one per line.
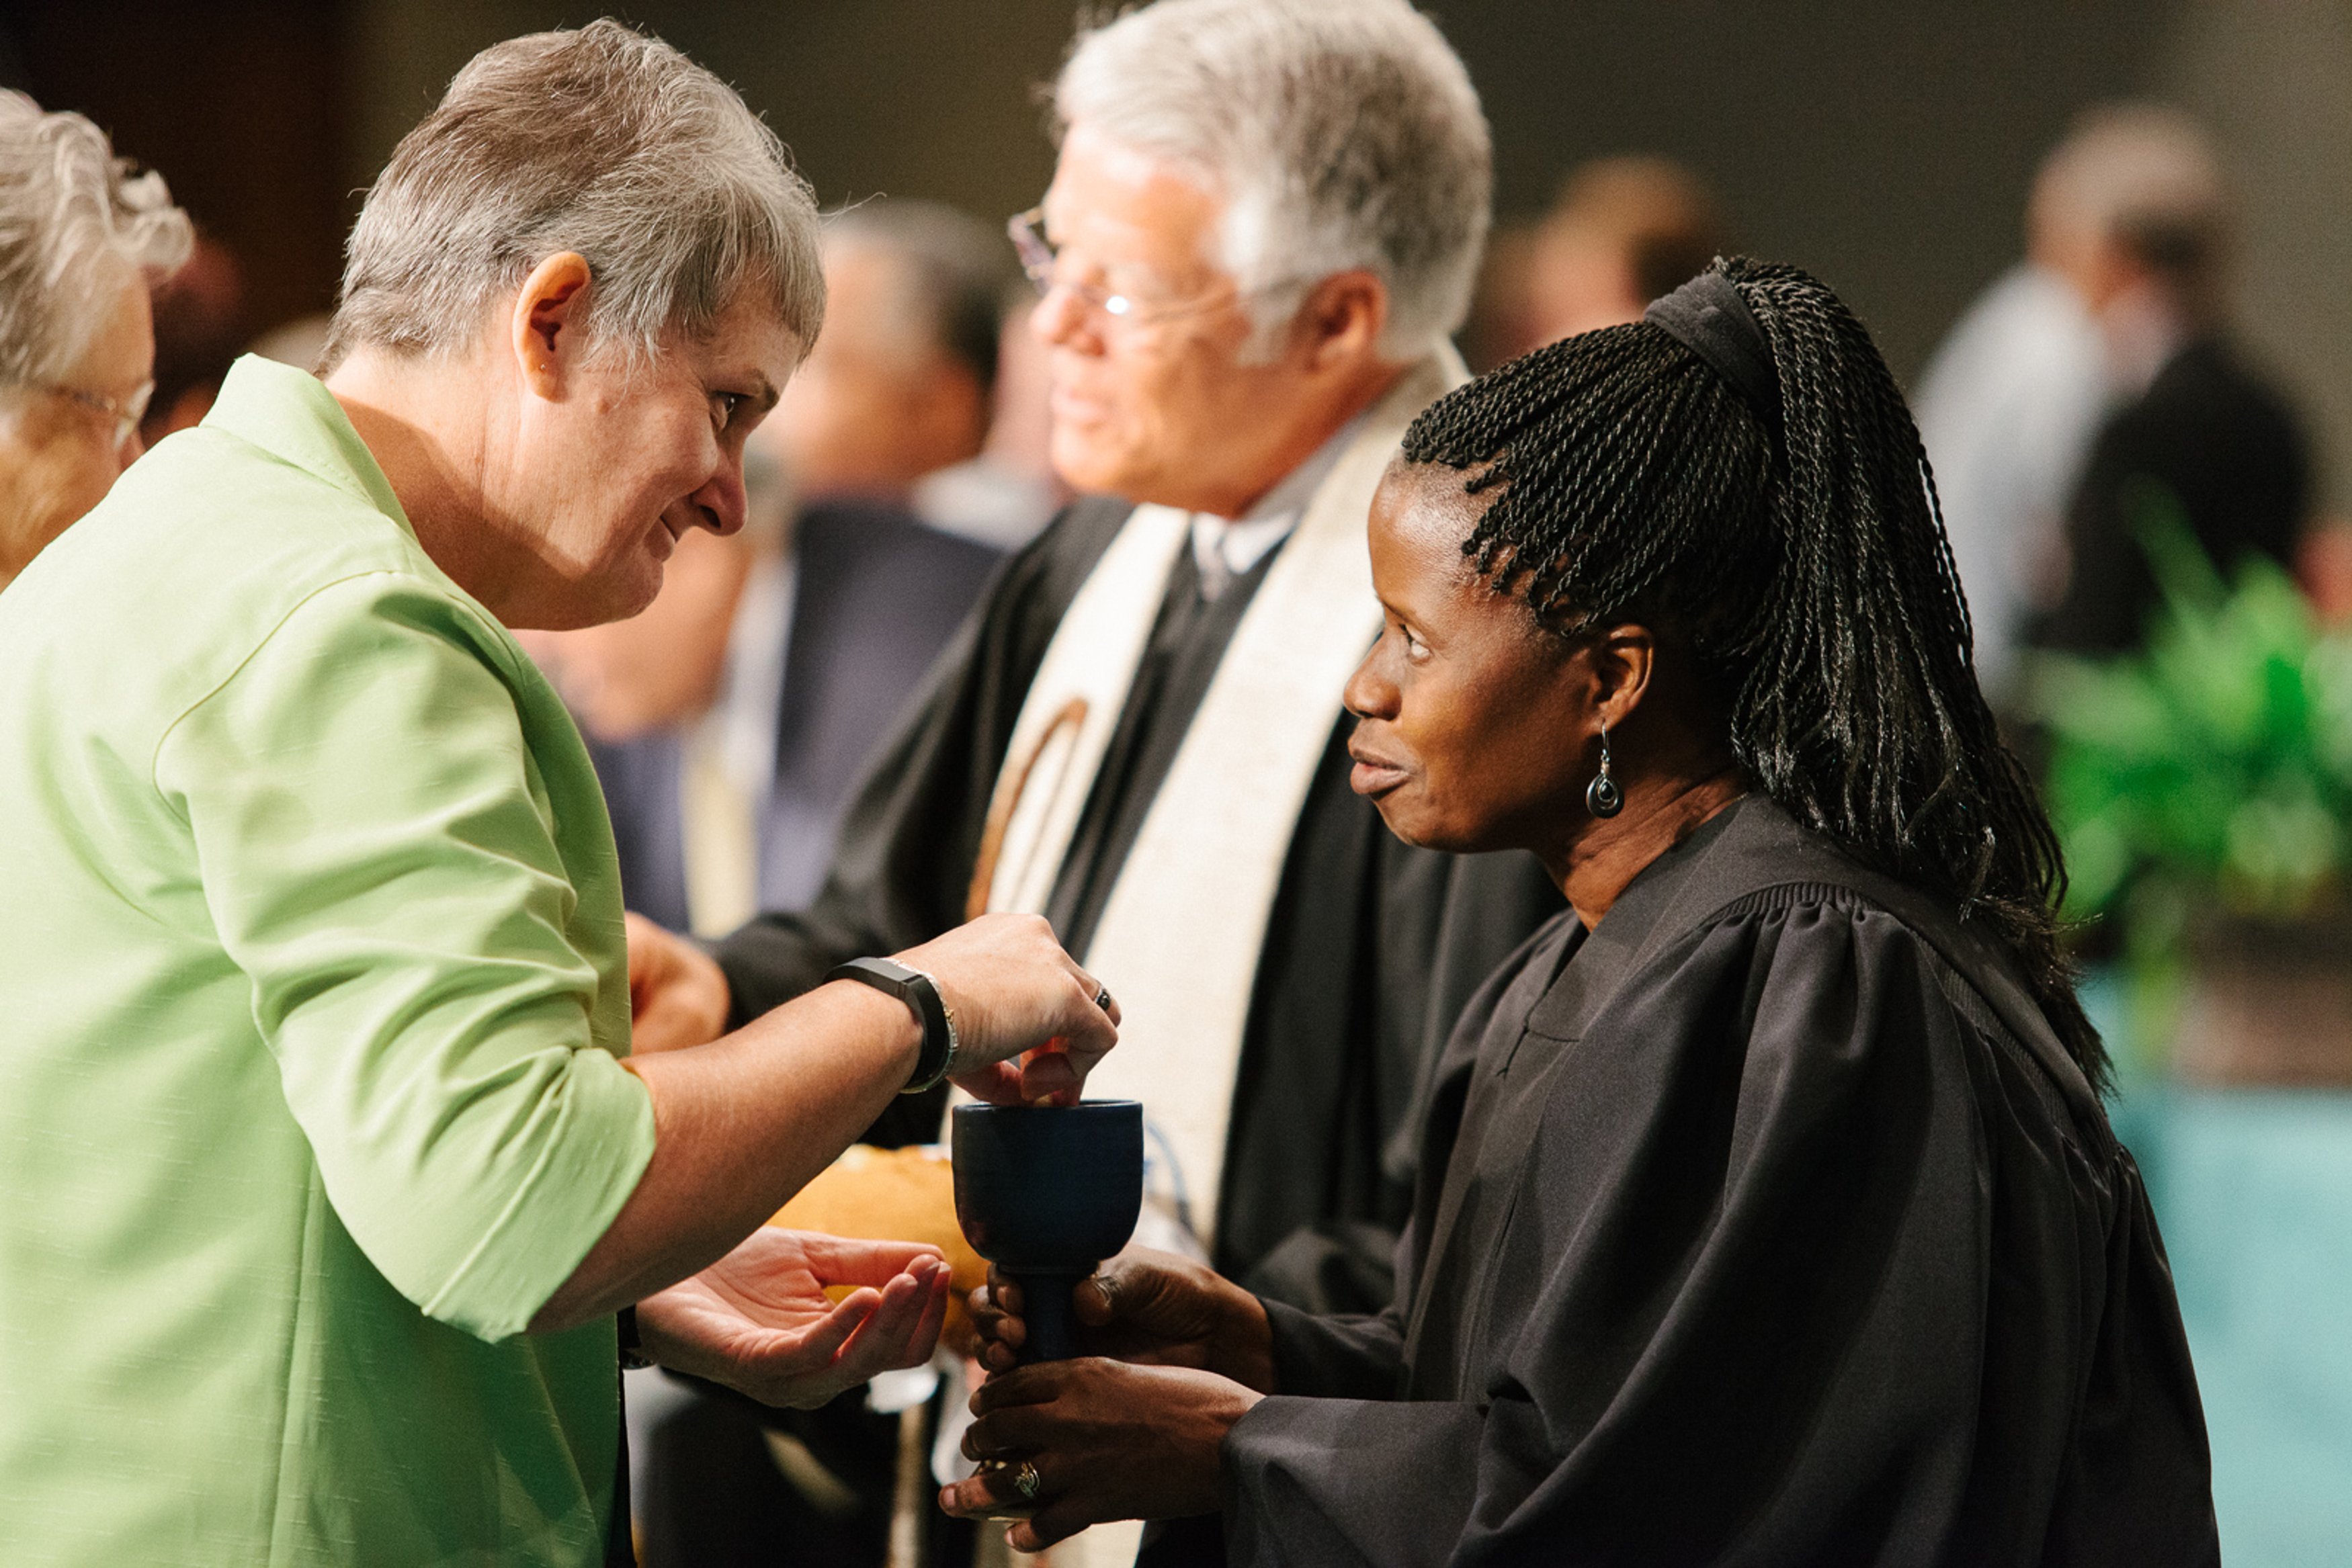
<point x="601" y="142"/>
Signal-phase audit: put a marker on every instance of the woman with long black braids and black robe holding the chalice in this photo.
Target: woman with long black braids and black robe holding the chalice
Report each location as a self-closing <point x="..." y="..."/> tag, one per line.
<point x="1768" y="1205"/>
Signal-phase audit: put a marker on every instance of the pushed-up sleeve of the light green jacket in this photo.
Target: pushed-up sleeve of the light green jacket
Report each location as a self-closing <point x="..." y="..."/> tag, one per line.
<point x="380" y="857"/>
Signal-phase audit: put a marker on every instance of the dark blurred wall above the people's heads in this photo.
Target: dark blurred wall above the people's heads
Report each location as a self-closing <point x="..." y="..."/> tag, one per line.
<point x="1883" y="147"/>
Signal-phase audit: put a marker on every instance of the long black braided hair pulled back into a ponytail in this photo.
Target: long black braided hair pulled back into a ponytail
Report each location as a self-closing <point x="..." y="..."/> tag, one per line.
<point x="1808" y="568"/>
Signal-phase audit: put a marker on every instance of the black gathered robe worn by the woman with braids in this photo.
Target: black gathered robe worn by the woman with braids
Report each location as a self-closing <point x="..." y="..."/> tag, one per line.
<point x="1763" y="1226"/>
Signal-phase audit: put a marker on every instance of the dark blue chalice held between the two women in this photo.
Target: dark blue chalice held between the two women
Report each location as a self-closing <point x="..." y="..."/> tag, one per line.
<point x="1045" y="1193"/>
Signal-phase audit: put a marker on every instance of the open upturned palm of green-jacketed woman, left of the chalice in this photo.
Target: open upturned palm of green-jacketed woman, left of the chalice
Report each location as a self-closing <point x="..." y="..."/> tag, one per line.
<point x="759" y="1318"/>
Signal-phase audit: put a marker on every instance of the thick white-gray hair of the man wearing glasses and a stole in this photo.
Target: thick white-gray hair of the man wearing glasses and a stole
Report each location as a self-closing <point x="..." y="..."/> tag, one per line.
<point x="1342" y="135"/>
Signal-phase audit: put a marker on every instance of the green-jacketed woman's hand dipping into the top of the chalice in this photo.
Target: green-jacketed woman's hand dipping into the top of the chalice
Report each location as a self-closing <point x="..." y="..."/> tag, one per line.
<point x="1017" y="993"/>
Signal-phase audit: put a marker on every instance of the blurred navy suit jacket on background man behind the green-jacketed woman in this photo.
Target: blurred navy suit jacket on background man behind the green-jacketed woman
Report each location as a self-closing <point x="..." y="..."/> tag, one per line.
<point x="876" y="598"/>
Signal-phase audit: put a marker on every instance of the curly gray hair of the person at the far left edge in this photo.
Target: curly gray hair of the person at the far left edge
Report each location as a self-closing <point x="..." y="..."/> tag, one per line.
<point x="65" y="203"/>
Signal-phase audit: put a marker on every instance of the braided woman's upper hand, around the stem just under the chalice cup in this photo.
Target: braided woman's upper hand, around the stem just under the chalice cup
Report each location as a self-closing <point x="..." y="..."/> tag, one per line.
<point x="1144" y="1308"/>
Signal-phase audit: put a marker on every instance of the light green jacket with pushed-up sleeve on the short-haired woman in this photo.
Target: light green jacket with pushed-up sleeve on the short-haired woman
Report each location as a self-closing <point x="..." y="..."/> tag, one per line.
<point x="312" y="998"/>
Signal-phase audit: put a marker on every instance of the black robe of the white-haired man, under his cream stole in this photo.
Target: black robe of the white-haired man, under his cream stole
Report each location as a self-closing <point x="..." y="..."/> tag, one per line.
<point x="1370" y="953"/>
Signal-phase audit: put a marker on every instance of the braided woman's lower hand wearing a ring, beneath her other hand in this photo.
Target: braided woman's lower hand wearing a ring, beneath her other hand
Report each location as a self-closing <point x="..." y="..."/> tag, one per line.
<point x="1107" y="1440"/>
